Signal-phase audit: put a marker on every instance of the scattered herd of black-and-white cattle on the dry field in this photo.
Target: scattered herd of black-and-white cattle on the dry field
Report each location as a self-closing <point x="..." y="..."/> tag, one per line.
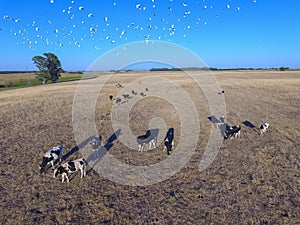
<point x="150" y="137"/>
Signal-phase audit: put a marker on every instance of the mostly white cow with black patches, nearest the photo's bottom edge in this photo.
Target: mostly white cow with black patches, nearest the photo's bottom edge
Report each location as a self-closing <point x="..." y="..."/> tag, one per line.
<point x="70" y="167"/>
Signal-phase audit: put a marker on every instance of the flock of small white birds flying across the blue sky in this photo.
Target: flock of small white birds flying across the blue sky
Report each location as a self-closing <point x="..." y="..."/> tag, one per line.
<point x="82" y="24"/>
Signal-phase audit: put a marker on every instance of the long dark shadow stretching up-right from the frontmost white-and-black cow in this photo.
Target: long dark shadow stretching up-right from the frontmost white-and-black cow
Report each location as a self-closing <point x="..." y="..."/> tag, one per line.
<point x="103" y="150"/>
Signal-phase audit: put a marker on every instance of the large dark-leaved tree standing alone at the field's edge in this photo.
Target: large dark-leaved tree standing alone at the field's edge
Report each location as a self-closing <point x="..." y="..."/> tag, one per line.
<point x="49" y="67"/>
